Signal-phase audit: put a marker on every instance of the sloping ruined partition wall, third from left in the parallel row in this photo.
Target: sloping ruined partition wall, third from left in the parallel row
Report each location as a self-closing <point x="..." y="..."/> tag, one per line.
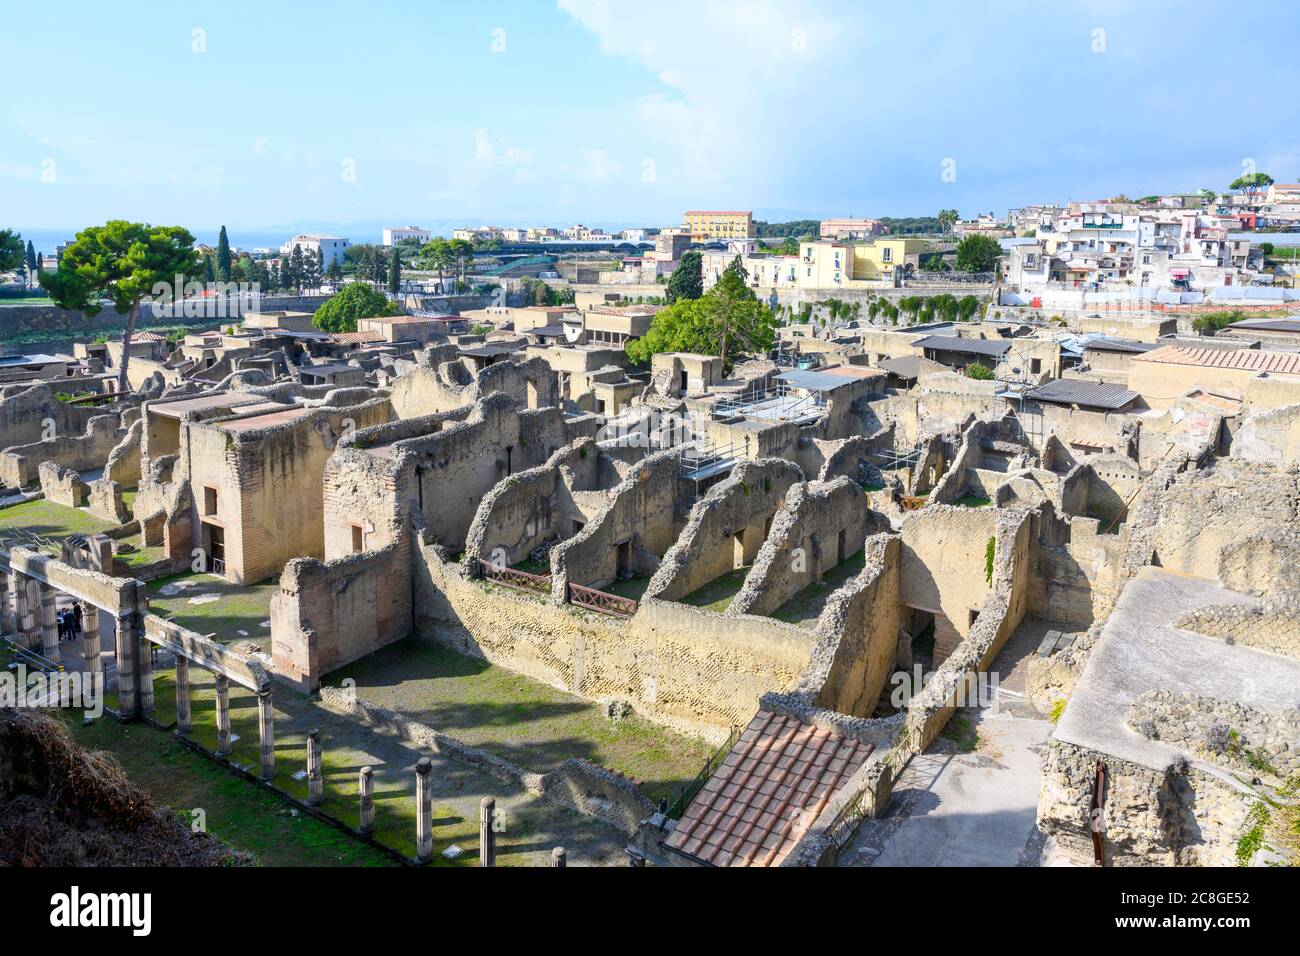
<point x="726" y="529"/>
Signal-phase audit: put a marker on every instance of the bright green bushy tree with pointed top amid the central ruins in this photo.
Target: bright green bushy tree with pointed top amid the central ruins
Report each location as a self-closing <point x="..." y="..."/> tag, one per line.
<point x="725" y="322"/>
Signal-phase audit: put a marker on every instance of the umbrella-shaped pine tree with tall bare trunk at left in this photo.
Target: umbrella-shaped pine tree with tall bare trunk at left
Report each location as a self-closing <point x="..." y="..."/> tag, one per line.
<point x="122" y="262"/>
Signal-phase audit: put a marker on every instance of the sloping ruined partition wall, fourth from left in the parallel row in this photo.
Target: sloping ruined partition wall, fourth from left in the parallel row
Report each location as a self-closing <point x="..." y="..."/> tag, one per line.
<point x="820" y="526"/>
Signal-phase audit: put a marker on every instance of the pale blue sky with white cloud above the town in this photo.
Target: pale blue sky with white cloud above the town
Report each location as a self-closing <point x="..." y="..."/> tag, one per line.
<point x="621" y="113"/>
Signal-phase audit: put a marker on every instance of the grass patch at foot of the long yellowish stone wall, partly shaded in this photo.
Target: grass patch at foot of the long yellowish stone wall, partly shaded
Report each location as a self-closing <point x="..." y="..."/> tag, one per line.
<point x="521" y="720"/>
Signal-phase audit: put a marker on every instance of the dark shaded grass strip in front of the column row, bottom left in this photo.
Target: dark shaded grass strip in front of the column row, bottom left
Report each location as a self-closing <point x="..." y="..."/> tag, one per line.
<point x="242" y="815"/>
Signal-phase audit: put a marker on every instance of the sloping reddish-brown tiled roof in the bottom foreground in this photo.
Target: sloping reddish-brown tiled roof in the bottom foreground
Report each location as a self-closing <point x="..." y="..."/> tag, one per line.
<point x="770" y="789"/>
